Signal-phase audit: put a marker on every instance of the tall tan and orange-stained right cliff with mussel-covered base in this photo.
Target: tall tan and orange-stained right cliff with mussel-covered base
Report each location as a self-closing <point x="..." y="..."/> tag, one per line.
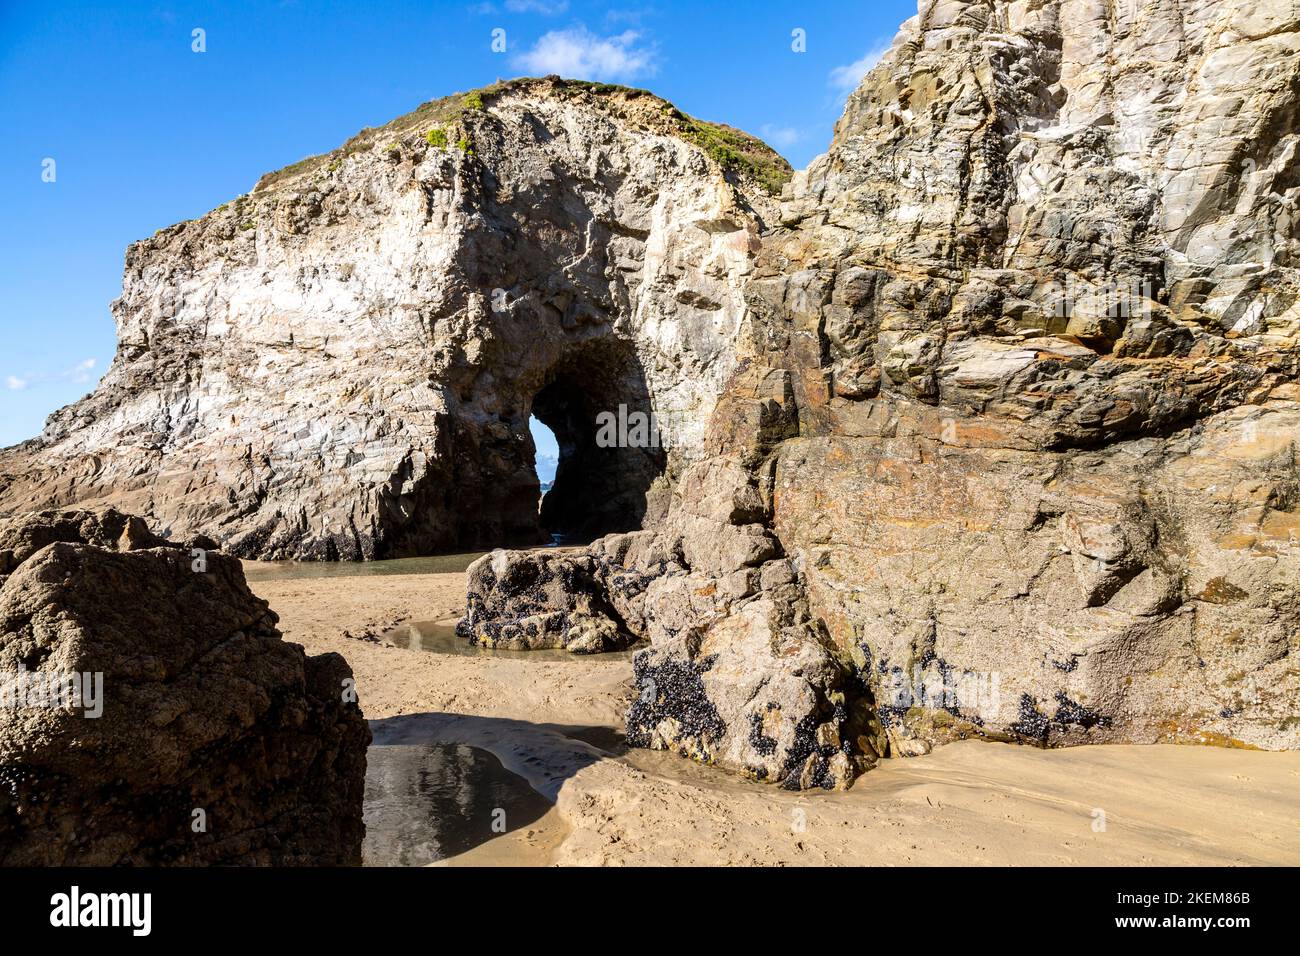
<point x="1011" y="449"/>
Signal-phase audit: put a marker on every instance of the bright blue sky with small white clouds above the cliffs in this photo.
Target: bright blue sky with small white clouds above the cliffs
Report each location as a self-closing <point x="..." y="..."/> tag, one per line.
<point x="144" y="132"/>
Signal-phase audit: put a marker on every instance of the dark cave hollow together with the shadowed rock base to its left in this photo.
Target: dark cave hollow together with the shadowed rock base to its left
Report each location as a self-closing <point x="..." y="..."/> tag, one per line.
<point x="482" y="490"/>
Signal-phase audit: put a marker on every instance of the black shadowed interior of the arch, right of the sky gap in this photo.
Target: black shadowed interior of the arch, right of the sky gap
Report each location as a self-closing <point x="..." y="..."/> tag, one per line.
<point x="593" y="401"/>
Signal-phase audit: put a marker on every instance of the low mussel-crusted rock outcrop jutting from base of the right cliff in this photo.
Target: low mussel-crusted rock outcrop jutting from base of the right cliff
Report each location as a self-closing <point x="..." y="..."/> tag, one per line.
<point x="738" y="672"/>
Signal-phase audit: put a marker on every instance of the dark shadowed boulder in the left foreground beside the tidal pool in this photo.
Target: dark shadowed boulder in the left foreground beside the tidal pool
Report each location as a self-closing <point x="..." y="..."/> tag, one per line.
<point x="150" y="712"/>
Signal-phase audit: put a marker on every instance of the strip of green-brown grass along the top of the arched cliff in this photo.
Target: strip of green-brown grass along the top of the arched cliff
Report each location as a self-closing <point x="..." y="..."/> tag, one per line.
<point x="731" y="149"/>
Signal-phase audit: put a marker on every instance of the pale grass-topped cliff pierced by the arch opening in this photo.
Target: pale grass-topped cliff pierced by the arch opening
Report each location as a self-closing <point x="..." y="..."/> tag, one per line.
<point x="343" y="364"/>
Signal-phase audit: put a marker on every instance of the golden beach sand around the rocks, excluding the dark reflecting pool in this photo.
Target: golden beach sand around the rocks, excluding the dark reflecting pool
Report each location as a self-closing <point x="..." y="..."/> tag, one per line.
<point x="558" y="725"/>
